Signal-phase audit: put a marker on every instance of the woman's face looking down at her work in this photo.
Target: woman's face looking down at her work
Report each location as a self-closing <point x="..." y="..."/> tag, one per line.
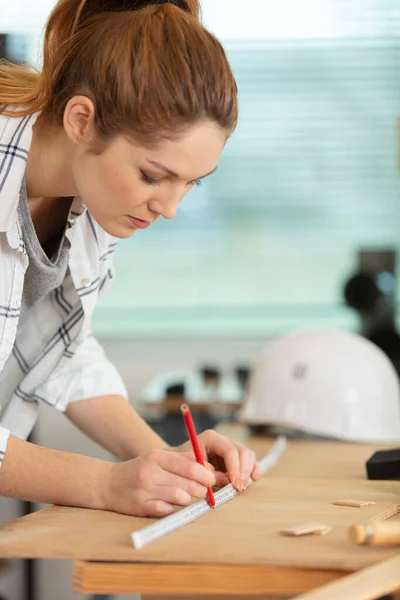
<point x="128" y="186"/>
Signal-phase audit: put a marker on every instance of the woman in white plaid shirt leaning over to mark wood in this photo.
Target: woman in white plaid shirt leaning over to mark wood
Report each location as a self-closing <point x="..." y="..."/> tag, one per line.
<point x="133" y="106"/>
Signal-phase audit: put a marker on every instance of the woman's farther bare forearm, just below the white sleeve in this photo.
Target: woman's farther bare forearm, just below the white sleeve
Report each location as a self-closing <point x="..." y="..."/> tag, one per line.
<point x="112" y="423"/>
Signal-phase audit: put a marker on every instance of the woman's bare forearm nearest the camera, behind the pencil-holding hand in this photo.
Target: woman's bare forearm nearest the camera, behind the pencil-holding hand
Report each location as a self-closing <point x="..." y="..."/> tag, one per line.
<point x="31" y="472"/>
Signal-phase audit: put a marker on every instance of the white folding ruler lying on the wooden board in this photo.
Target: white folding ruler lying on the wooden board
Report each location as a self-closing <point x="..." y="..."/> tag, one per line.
<point x="144" y="536"/>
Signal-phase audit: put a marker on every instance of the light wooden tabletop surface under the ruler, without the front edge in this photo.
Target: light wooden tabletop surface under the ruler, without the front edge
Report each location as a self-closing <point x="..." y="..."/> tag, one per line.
<point x="244" y="531"/>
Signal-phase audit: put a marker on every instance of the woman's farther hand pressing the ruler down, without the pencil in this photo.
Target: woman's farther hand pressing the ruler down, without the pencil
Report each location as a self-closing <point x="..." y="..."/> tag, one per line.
<point x="232" y="461"/>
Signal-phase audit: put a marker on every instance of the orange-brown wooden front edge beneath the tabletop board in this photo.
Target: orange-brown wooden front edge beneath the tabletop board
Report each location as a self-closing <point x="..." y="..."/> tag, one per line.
<point x="91" y="577"/>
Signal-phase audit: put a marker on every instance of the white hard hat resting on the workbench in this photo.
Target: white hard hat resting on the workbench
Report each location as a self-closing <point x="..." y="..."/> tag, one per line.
<point x="326" y="382"/>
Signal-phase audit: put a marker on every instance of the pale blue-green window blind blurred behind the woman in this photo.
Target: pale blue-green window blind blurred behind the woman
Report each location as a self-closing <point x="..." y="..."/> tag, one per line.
<point x="308" y="179"/>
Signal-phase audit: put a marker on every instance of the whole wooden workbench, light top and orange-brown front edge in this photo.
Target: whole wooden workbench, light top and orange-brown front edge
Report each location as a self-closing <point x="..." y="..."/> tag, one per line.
<point x="308" y="476"/>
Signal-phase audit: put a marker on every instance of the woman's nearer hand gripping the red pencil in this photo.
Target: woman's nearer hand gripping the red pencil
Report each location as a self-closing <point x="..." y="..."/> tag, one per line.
<point x="153" y="483"/>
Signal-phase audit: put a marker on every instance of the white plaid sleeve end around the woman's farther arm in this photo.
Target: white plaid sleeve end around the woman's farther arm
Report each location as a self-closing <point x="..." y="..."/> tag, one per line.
<point x="88" y="375"/>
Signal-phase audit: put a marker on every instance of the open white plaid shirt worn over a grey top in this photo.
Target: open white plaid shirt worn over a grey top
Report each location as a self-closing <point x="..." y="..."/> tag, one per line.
<point x="60" y="361"/>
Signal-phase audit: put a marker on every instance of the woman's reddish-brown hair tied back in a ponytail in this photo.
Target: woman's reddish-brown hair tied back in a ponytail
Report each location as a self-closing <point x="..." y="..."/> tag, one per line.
<point x="149" y="67"/>
